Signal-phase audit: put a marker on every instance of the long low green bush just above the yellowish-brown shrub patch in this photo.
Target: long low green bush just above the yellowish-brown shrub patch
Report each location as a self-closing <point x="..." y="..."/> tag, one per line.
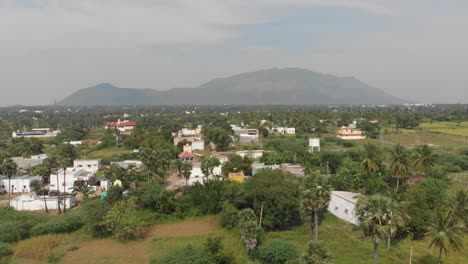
<point x="63" y="224"/>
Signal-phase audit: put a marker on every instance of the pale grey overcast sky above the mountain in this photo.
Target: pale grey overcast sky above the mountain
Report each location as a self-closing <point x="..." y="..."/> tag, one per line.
<point x="414" y="49"/>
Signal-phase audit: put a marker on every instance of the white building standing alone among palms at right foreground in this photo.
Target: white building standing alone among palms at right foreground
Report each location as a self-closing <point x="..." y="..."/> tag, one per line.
<point x="343" y="206"/>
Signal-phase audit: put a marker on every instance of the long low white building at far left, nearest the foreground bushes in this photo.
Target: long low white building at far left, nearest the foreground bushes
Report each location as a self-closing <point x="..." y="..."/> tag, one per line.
<point x="34" y="203"/>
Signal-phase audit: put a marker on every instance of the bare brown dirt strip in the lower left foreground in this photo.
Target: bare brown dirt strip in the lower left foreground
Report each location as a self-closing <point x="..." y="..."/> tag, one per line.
<point x="104" y="251"/>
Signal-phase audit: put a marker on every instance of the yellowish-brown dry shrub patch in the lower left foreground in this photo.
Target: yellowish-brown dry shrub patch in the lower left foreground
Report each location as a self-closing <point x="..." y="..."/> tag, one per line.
<point x="40" y="247"/>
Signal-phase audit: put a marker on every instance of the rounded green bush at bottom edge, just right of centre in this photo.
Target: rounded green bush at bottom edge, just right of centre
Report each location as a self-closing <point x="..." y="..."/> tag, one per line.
<point x="277" y="252"/>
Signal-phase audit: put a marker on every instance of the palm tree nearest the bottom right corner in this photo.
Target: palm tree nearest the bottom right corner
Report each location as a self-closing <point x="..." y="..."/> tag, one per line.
<point x="445" y="234"/>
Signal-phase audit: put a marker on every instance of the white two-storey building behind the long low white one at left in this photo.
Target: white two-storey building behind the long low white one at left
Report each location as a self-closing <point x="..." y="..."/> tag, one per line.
<point x="71" y="176"/>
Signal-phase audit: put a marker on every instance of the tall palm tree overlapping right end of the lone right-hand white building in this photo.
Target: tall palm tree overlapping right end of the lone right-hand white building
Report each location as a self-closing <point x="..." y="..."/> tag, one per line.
<point x="374" y="215"/>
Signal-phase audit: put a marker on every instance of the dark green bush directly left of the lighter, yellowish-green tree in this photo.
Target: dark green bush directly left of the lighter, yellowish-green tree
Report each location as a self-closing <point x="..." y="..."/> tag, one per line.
<point x="94" y="212"/>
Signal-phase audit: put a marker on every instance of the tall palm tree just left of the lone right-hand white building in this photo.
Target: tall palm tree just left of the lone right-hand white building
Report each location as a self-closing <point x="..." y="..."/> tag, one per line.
<point x="315" y="196"/>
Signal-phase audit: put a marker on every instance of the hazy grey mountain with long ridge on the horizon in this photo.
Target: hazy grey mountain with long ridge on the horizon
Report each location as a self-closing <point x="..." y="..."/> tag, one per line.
<point x="287" y="86"/>
